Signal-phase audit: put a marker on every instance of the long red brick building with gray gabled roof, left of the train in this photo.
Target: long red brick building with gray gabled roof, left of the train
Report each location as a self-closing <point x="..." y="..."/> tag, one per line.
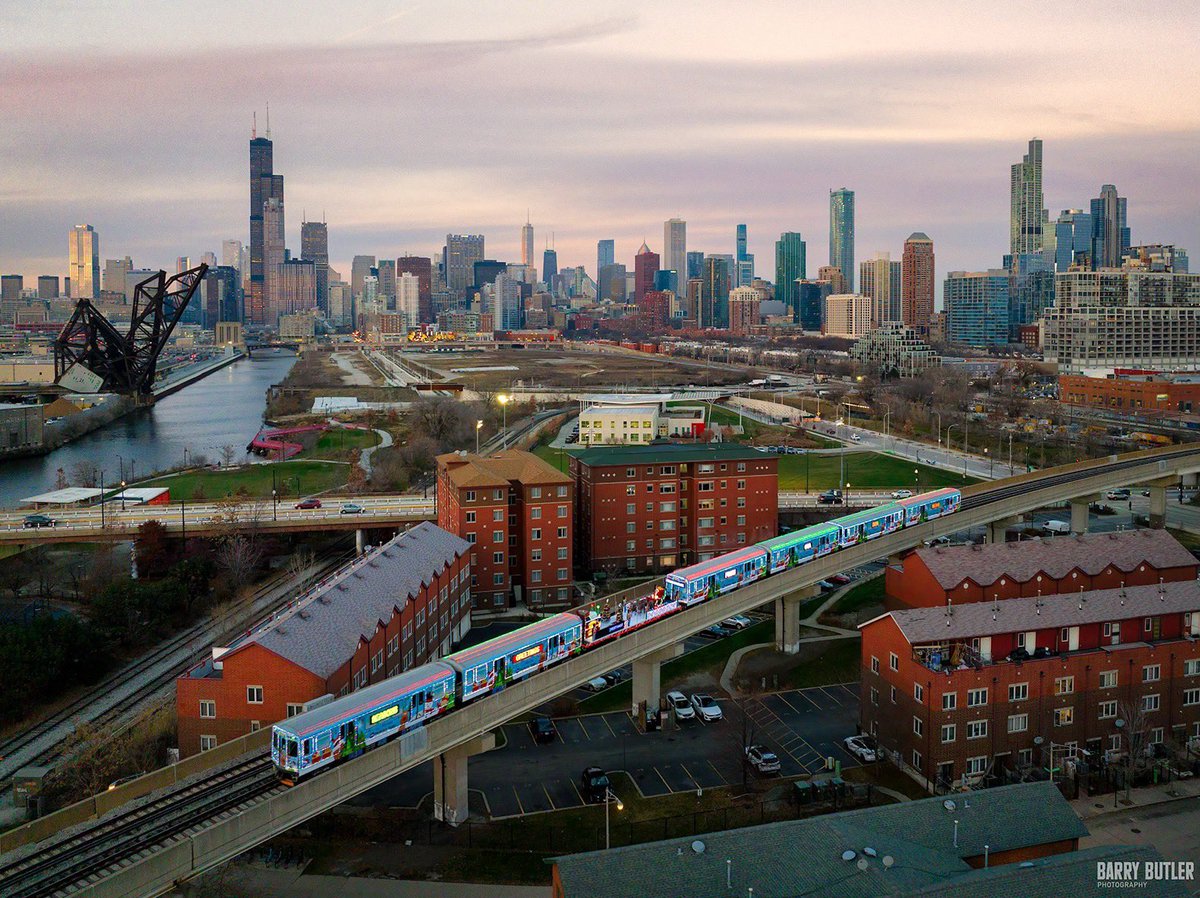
<point x="393" y="609"/>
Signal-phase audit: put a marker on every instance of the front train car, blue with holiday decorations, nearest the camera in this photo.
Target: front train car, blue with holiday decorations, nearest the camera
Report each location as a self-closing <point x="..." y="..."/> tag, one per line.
<point x="350" y="726"/>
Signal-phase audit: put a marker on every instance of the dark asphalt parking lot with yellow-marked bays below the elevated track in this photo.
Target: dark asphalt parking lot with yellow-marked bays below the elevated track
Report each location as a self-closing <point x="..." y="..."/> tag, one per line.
<point x="803" y="727"/>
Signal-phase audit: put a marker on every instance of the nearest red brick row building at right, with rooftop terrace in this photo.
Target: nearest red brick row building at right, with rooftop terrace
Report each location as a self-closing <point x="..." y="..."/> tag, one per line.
<point x="965" y="692"/>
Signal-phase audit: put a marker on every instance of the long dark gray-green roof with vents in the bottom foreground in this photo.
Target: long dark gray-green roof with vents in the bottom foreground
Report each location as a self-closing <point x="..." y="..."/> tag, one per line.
<point x="806" y="857"/>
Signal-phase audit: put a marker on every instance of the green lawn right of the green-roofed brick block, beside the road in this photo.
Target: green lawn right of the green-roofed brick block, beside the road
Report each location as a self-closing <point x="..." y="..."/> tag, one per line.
<point x="863" y="471"/>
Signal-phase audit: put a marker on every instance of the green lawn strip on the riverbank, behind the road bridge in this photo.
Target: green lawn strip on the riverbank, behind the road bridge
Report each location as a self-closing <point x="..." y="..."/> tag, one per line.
<point x="257" y="480"/>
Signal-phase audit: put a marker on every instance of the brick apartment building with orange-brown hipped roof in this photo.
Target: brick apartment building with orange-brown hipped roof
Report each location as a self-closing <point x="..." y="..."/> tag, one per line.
<point x="517" y="512"/>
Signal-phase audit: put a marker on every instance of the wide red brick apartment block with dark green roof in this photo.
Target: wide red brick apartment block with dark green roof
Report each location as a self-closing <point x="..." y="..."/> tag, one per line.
<point x="657" y="507"/>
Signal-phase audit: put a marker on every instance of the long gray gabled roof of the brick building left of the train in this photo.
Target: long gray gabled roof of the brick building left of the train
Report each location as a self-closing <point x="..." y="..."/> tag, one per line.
<point x="322" y="632"/>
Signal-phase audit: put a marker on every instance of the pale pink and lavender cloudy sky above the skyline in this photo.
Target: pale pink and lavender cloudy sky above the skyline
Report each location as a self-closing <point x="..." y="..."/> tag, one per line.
<point x="401" y="122"/>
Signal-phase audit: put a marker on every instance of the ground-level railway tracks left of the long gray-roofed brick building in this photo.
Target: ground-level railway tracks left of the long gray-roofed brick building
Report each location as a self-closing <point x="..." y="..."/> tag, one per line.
<point x="41" y="743"/>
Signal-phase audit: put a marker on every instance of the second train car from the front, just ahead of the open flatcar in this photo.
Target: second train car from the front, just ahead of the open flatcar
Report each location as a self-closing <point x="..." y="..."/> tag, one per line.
<point x="502" y="661"/>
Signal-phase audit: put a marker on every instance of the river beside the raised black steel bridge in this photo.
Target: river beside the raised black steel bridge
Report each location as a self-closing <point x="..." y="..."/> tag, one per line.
<point x="224" y="409"/>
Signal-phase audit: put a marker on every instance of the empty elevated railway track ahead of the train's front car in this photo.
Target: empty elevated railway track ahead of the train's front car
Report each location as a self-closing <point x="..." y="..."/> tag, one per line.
<point x="88" y="853"/>
